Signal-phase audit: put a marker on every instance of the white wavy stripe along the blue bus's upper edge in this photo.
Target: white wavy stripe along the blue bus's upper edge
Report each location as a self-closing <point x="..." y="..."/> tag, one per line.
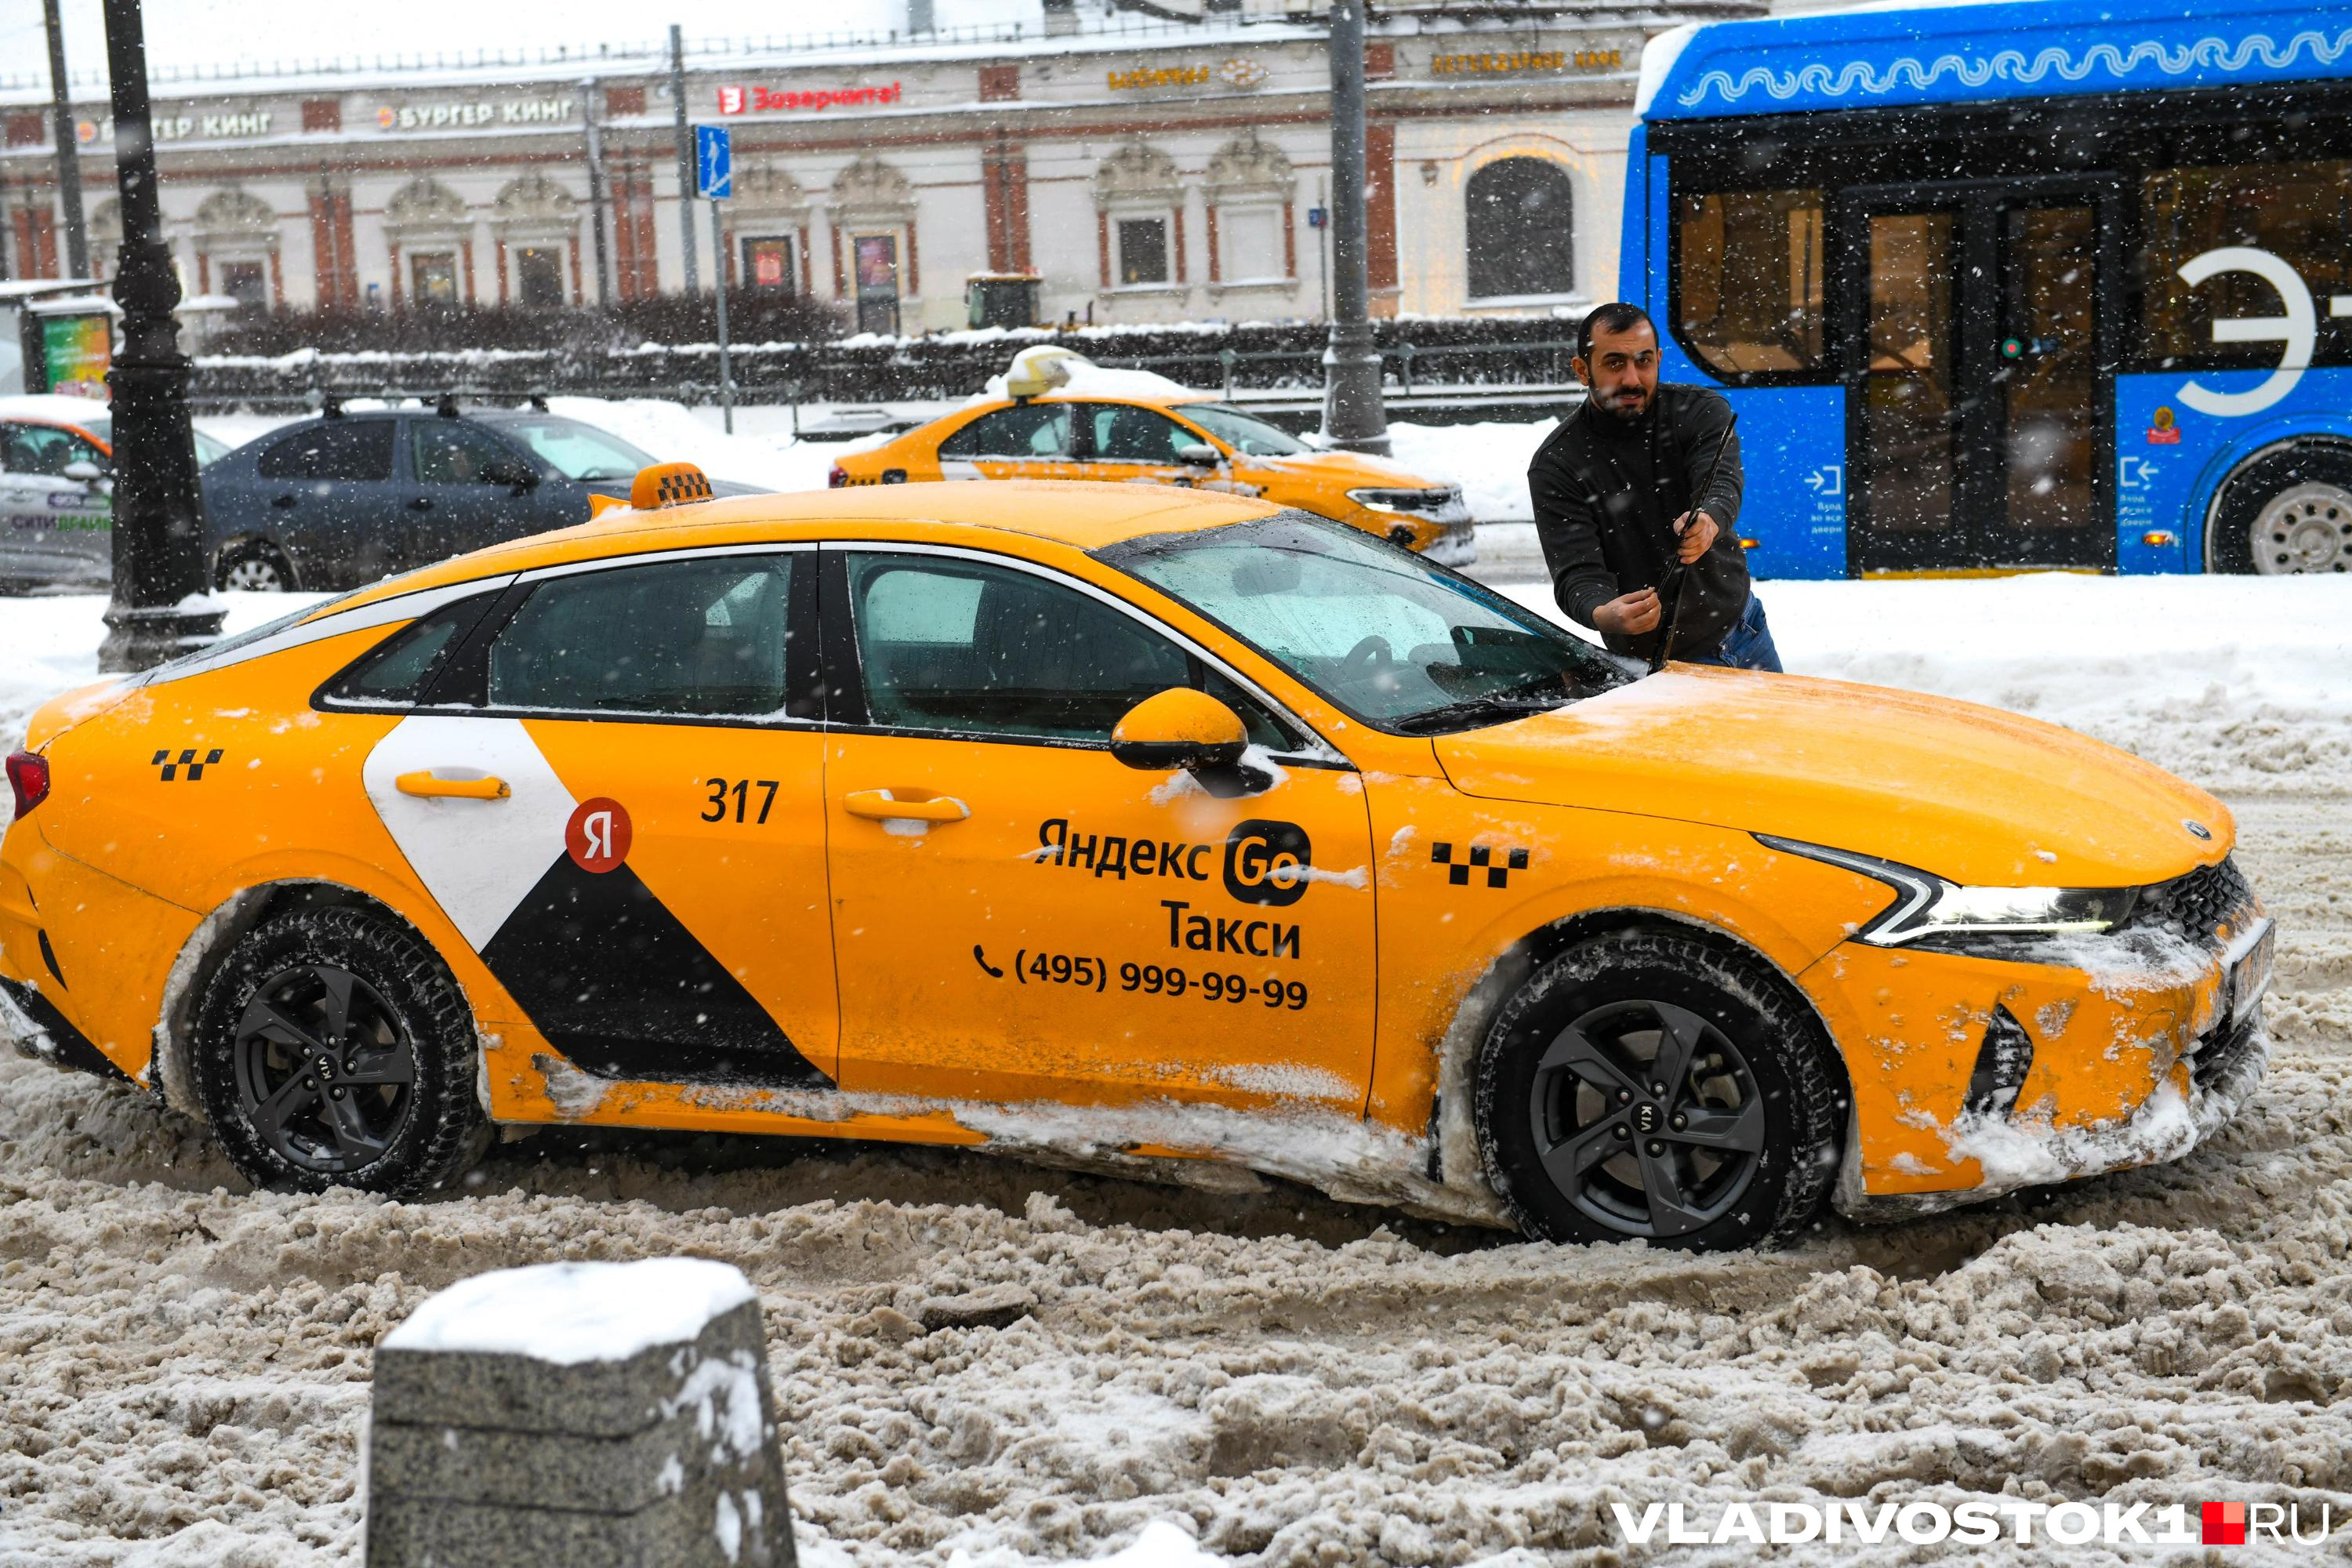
<point x="2014" y="67"/>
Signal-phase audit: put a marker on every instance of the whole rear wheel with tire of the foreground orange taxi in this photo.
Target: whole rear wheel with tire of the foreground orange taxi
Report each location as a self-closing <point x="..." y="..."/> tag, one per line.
<point x="335" y="1050"/>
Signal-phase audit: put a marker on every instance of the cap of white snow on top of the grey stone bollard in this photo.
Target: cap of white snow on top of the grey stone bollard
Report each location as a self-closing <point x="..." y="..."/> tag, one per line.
<point x="573" y="1313"/>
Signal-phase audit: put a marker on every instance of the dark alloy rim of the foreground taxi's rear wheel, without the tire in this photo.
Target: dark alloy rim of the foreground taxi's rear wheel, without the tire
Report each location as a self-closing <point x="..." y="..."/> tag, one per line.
<point x="326" y="1071"/>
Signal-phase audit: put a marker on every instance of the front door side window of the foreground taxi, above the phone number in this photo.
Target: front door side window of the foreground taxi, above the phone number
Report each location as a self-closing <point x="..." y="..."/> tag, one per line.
<point x="970" y="650"/>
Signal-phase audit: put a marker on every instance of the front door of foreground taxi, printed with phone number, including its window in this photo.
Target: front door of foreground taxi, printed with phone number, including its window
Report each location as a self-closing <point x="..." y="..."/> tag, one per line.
<point x="1022" y="918"/>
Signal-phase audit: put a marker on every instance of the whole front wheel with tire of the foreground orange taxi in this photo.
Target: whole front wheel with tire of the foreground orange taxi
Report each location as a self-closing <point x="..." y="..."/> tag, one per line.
<point x="1655" y="1085"/>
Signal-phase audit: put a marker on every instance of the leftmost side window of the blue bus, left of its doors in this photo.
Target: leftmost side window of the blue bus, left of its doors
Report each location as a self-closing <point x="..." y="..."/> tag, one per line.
<point x="1749" y="281"/>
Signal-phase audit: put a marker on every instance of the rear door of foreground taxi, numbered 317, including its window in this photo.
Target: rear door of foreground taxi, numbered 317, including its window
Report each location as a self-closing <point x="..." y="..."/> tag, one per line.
<point x="615" y="796"/>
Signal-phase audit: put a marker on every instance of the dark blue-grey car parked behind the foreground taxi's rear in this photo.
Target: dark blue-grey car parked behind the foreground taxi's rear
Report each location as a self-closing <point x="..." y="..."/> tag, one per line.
<point x="352" y="497"/>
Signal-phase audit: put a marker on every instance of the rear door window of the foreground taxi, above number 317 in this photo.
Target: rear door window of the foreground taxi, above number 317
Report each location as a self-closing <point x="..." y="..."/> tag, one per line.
<point x="669" y="638"/>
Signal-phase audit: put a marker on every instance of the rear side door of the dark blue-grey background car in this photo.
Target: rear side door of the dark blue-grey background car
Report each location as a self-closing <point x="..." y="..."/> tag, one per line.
<point x="326" y="497"/>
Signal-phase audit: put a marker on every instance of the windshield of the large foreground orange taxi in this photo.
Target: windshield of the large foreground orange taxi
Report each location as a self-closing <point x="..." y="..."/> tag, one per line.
<point x="1398" y="643"/>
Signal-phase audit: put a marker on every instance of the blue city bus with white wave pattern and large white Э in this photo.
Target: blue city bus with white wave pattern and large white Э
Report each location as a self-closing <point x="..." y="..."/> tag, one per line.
<point x="2014" y="286"/>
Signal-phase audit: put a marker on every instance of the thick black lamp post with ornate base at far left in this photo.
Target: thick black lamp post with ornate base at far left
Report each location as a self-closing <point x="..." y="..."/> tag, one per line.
<point x="159" y="605"/>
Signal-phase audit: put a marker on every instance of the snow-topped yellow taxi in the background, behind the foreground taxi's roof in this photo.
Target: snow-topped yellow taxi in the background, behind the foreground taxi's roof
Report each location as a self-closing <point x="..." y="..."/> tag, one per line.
<point x="1140" y="429"/>
